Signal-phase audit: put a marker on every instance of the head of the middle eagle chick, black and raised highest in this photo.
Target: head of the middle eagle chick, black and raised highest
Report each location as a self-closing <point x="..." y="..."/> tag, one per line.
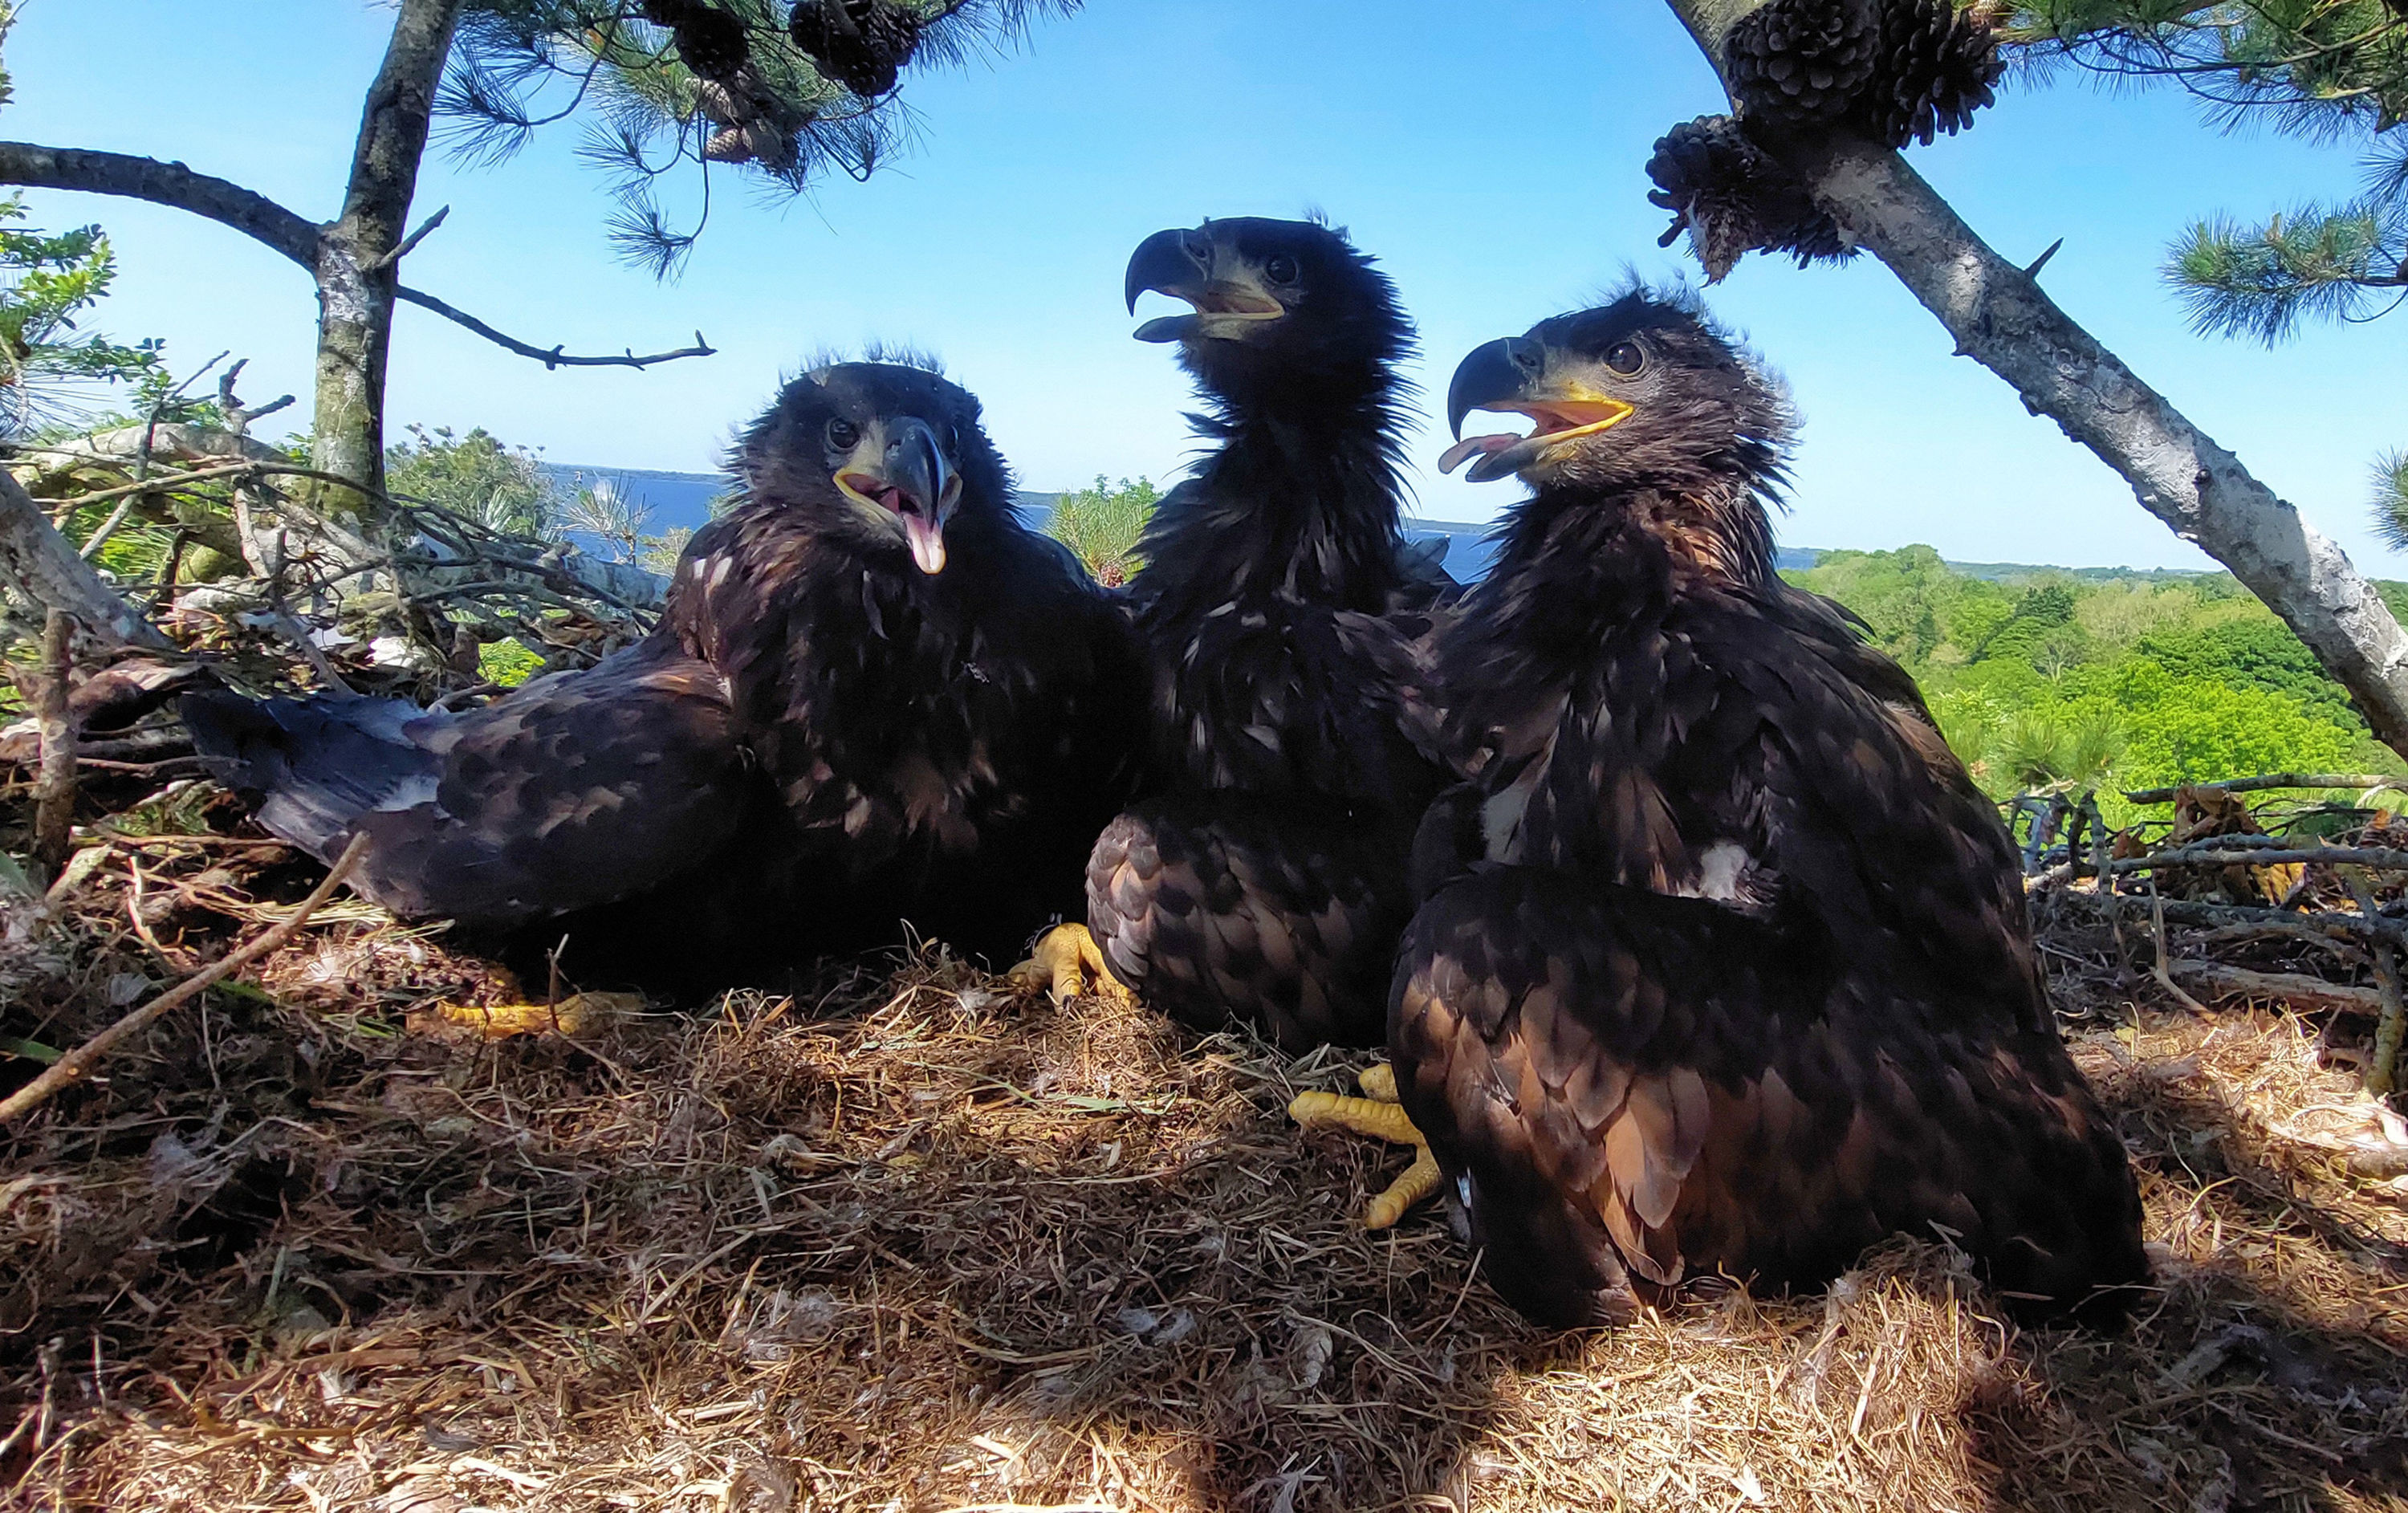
<point x="1277" y="307"/>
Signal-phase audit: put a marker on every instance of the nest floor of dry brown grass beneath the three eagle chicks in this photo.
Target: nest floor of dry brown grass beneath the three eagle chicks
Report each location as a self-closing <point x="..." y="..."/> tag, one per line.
<point x="916" y="1244"/>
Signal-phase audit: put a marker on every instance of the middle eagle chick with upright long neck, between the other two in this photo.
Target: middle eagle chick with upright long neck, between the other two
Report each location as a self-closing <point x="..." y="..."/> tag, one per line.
<point x="1263" y="876"/>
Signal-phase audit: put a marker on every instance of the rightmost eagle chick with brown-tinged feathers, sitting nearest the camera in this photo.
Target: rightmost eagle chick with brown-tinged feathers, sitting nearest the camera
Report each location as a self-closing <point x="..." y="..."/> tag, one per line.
<point x="1725" y="965"/>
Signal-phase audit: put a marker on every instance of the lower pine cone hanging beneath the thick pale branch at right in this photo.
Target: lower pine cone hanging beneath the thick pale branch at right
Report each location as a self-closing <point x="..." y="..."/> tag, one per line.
<point x="1733" y="199"/>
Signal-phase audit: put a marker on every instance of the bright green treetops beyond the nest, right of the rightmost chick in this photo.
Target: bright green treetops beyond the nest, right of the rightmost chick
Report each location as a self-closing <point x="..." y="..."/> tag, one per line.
<point x="2060" y="681"/>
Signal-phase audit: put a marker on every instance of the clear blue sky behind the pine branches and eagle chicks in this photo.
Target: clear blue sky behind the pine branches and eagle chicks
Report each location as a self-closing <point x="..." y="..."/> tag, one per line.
<point x="1492" y="155"/>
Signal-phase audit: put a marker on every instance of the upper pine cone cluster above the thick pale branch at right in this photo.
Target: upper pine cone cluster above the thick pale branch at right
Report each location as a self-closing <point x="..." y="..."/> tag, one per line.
<point x="1894" y="69"/>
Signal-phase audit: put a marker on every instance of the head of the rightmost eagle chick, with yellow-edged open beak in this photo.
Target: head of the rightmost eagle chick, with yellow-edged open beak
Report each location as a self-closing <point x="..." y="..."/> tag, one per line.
<point x="1639" y="401"/>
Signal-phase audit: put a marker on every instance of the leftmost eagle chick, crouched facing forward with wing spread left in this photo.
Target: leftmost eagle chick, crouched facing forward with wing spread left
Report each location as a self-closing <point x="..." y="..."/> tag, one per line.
<point x="875" y="695"/>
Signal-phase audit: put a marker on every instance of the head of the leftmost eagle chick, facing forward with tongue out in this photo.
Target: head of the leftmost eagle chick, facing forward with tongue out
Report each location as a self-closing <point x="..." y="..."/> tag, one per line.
<point x="880" y="459"/>
